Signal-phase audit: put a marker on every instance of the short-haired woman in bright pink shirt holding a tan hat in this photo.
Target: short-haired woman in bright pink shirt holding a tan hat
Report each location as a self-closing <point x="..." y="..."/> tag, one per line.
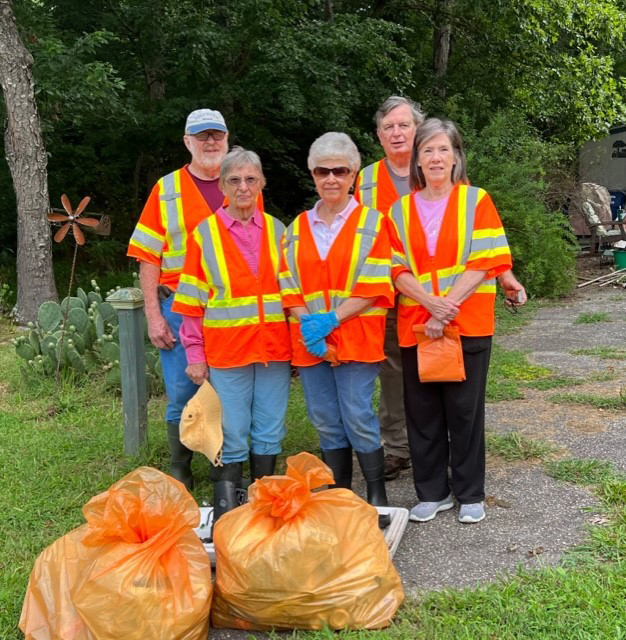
<point x="234" y="328"/>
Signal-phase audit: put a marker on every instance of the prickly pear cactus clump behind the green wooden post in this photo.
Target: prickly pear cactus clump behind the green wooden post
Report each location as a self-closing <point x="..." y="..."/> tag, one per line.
<point x="90" y="341"/>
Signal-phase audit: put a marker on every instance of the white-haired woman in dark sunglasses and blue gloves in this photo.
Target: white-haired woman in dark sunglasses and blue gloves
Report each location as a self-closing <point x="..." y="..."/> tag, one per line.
<point x="335" y="282"/>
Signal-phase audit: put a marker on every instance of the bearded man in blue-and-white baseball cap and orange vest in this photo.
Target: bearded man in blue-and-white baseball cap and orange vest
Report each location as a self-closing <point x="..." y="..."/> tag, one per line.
<point x="177" y="203"/>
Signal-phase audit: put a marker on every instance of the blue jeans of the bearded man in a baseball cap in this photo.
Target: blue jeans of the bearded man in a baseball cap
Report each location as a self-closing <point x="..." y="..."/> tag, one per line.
<point x="178" y="386"/>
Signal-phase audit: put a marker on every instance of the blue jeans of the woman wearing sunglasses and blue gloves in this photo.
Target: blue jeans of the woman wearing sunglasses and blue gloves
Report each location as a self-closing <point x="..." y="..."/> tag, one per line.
<point x="339" y="404"/>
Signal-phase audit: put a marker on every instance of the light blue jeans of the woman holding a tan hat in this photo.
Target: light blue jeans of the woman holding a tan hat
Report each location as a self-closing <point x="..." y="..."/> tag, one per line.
<point x="254" y="402"/>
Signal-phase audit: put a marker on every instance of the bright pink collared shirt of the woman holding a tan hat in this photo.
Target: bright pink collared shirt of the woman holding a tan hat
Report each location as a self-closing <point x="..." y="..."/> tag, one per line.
<point x="247" y="239"/>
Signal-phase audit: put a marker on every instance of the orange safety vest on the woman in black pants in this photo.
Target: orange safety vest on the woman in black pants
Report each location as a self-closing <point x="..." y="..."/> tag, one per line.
<point x="471" y="238"/>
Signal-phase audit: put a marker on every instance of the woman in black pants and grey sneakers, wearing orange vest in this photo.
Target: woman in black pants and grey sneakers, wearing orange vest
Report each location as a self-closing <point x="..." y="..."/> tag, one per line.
<point x="448" y="250"/>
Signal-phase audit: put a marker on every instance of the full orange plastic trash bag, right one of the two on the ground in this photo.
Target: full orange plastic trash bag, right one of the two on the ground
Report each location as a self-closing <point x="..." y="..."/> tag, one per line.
<point x="296" y="559"/>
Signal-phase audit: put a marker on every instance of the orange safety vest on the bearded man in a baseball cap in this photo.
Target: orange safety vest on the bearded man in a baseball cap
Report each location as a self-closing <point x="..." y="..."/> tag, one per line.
<point x="173" y="210"/>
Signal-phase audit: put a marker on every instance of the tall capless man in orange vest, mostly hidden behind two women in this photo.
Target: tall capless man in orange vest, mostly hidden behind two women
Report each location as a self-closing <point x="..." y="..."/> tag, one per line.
<point x="378" y="186"/>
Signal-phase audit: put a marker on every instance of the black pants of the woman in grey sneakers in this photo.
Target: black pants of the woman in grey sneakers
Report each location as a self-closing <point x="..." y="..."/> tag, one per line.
<point x="446" y="423"/>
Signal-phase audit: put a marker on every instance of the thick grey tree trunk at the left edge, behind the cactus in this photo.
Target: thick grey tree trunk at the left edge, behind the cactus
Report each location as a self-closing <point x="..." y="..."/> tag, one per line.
<point x="27" y="160"/>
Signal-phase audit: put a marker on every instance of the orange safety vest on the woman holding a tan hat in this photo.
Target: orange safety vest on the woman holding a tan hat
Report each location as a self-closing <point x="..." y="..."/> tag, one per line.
<point x="244" y="321"/>
